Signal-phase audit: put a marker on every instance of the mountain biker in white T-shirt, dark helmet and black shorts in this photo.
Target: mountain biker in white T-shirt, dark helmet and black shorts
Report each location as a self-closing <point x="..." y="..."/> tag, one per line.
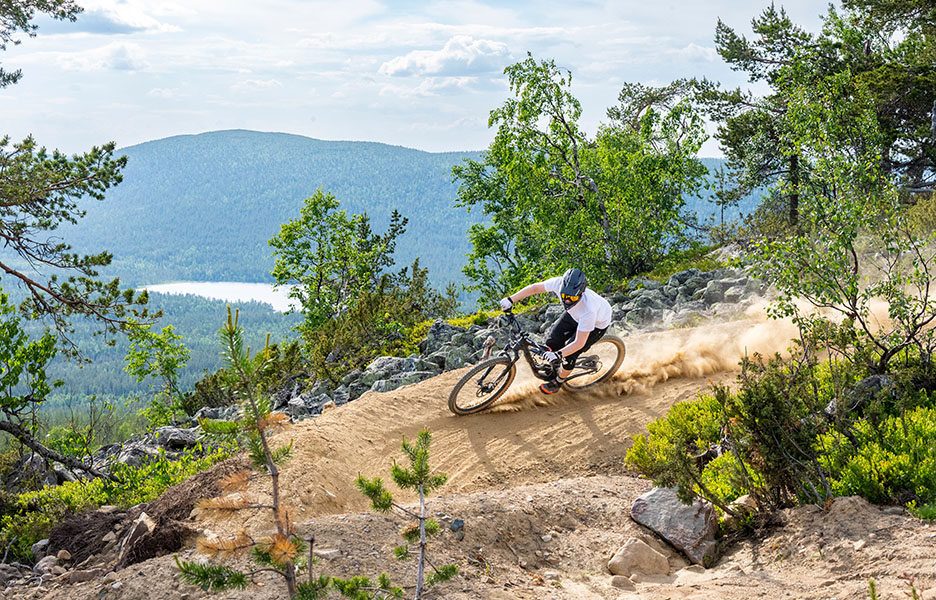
<point x="586" y="318"/>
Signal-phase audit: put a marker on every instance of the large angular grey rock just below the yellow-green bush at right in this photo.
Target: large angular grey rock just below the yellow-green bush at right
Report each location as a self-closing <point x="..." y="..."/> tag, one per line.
<point x="690" y="528"/>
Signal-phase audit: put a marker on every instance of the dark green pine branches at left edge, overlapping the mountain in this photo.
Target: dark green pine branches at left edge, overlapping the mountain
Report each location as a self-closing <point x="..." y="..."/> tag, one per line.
<point x="41" y="191"/>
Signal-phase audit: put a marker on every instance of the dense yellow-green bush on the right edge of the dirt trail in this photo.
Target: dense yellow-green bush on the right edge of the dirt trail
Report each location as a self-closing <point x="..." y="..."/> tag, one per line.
<point x="799" y="432"/>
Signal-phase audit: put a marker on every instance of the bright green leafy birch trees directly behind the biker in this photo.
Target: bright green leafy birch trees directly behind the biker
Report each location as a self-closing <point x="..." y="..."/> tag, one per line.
<point x="553" y="198"/>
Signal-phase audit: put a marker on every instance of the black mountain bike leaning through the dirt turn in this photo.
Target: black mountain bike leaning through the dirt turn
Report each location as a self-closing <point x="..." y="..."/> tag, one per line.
<point x="488" y="380"/>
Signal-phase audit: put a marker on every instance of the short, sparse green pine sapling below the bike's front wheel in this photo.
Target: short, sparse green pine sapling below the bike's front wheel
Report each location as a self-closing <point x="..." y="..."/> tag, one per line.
<point x="418" y="478"/>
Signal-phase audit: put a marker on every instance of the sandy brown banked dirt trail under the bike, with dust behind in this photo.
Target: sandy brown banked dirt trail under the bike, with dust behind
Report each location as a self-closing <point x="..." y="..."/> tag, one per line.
<point x="525" y="438"/>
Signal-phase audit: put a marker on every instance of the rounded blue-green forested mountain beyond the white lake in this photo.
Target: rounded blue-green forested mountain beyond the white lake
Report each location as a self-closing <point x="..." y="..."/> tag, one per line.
<point x="203" y="207"/>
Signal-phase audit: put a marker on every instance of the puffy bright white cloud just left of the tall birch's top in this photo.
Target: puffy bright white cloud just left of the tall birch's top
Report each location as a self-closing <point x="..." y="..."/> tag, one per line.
<point x="461" y="55"/>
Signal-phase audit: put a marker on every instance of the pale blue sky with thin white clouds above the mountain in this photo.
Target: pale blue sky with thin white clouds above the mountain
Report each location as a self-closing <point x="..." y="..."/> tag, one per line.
<point x="419" y="74"/>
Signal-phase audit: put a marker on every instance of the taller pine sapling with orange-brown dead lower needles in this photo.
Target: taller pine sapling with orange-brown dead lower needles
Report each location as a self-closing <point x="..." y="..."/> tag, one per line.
<point x="282" y="552"/>
